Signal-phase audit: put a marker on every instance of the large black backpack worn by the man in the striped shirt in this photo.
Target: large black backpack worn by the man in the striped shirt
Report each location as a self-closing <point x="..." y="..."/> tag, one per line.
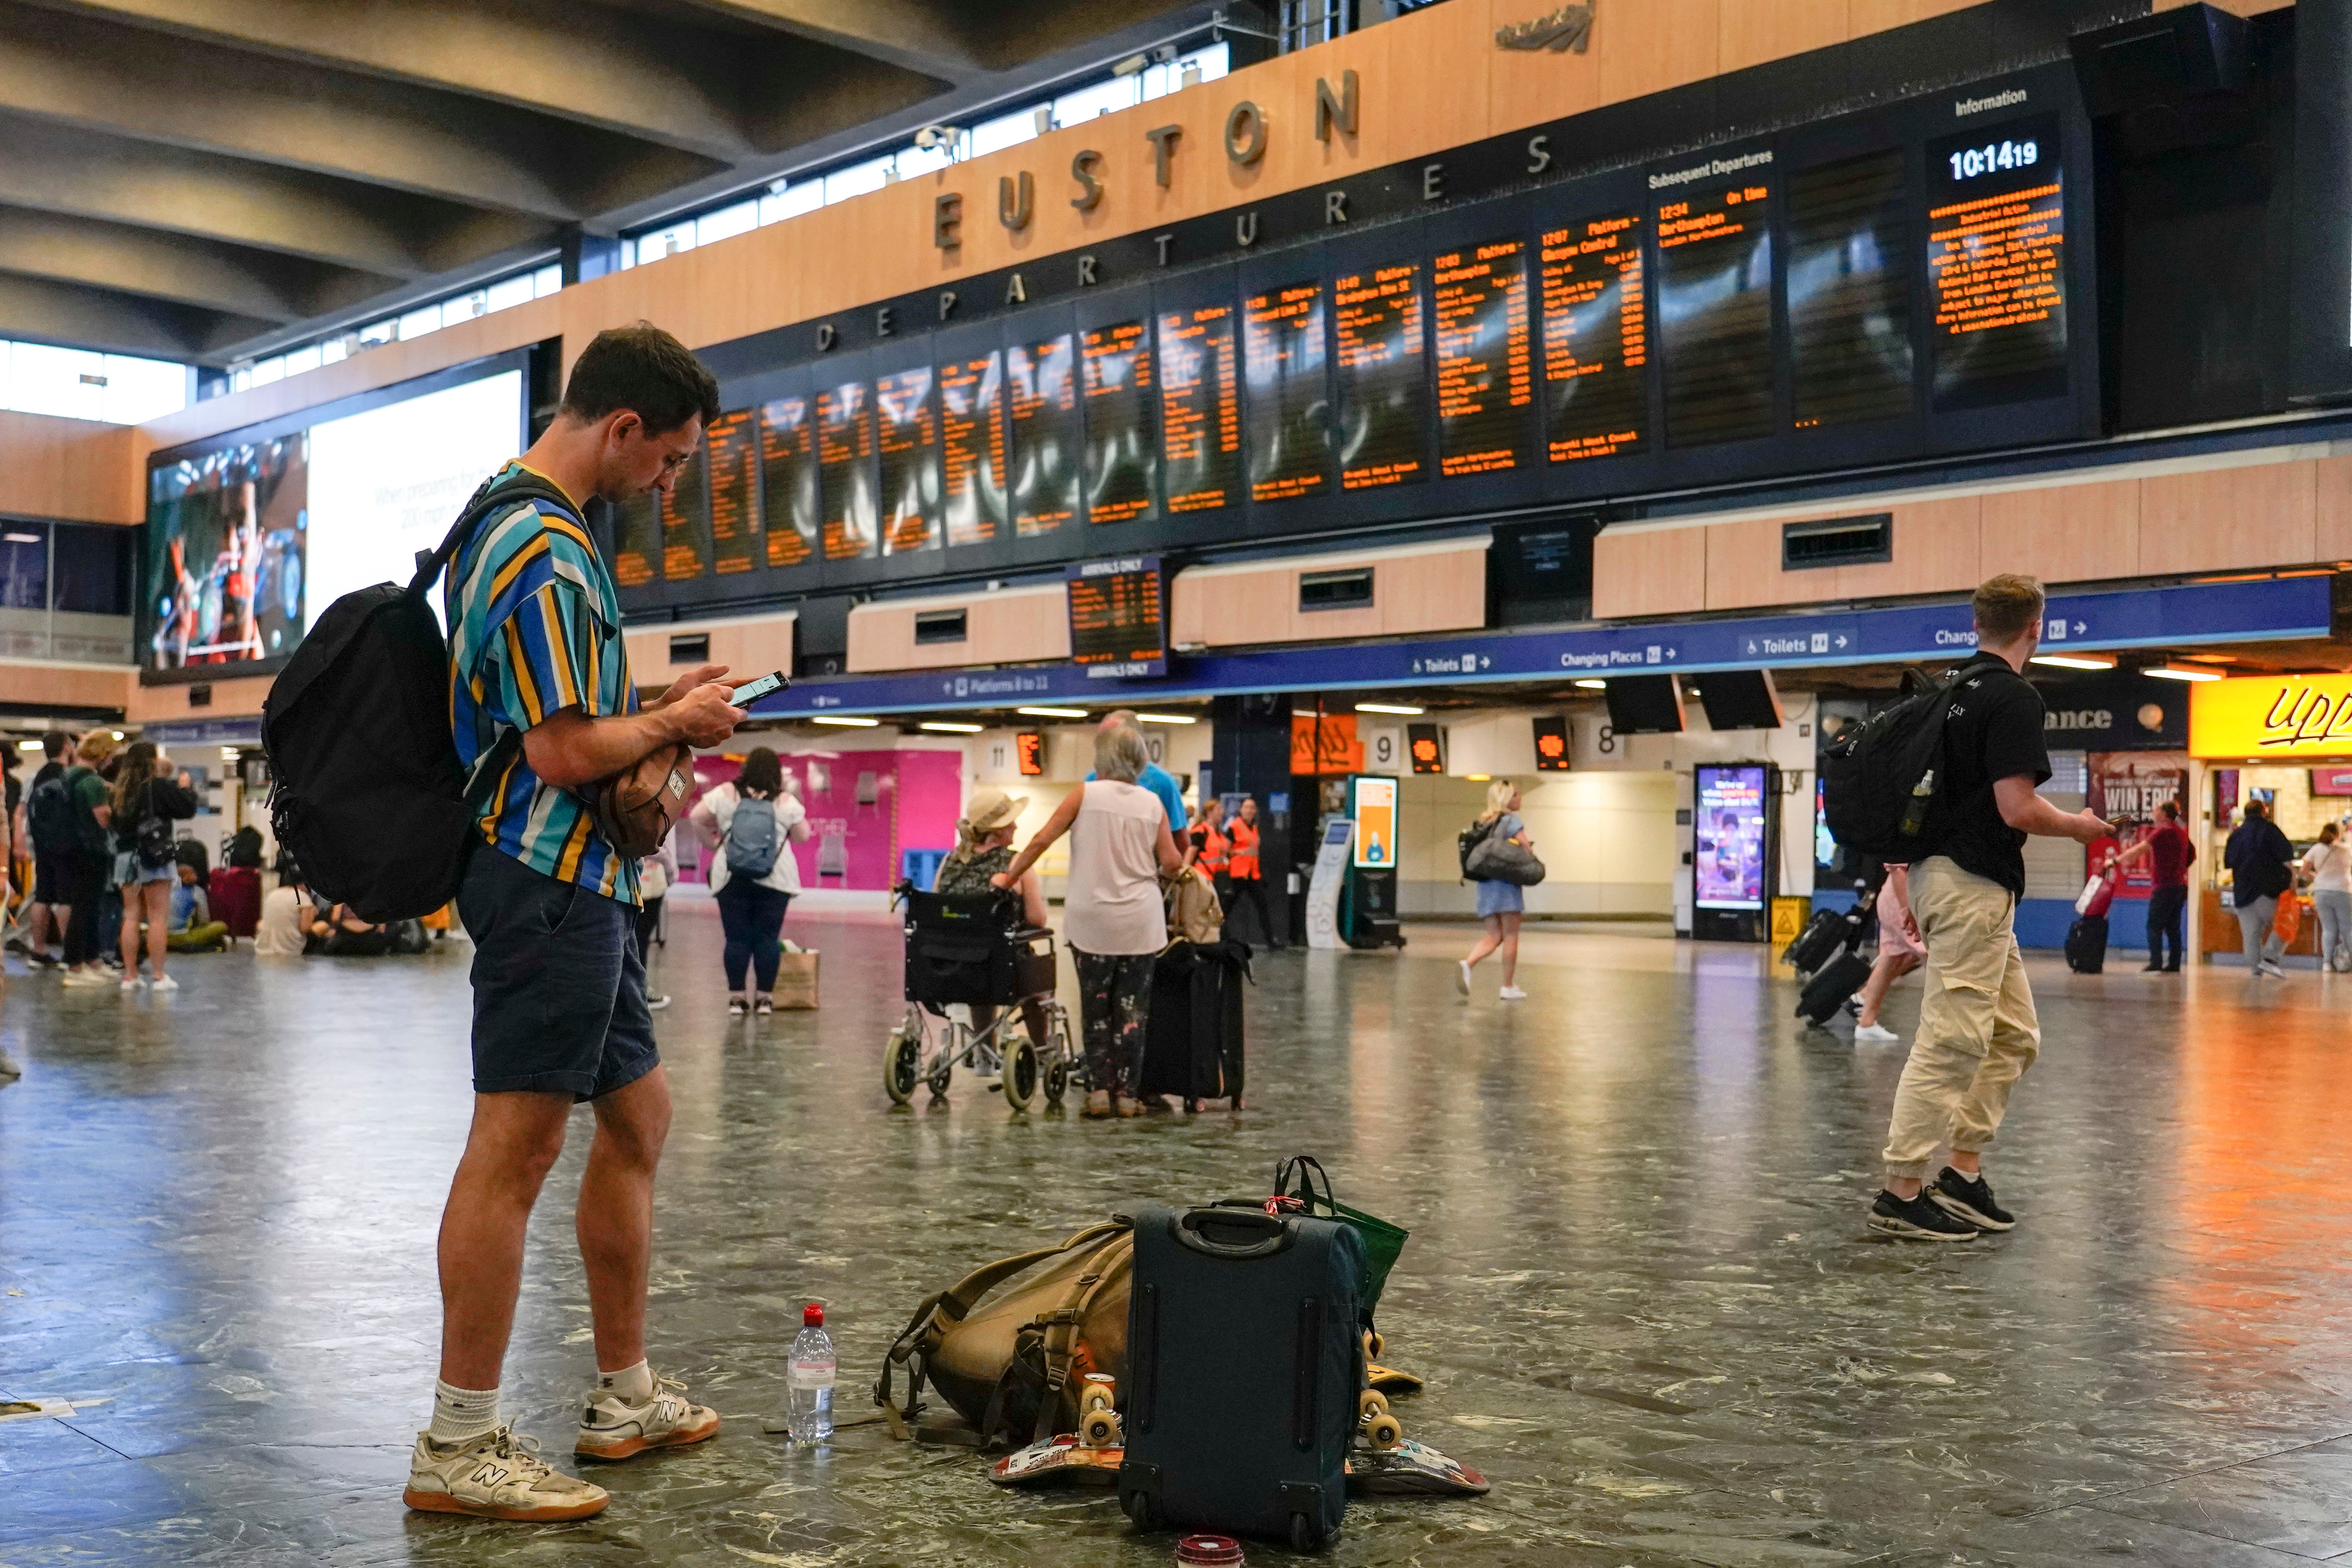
<point x="366" y="784"/>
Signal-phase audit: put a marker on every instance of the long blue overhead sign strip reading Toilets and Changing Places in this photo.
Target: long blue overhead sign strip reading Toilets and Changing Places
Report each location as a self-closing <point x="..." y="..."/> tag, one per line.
<point x="2264" y="610"/>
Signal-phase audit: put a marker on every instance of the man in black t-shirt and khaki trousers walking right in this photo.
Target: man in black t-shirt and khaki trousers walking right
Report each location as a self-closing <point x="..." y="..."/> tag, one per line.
<point x="1977" y="1021"/>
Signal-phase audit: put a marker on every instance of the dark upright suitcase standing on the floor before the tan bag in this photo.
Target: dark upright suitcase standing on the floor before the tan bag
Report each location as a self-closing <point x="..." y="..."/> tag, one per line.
<point x="1243" y="1374"/>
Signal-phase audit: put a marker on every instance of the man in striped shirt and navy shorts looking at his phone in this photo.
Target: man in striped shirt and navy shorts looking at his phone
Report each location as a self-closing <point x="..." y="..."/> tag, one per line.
<point x="559" y="981"/>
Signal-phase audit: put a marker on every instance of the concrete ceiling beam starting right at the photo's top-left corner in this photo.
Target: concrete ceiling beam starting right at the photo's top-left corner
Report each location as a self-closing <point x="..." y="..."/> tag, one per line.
<point x="215" y="100"/>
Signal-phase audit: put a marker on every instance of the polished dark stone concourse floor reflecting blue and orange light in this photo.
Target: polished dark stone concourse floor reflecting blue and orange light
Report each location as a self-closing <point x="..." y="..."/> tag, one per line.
<point x="1638" y="1278"/>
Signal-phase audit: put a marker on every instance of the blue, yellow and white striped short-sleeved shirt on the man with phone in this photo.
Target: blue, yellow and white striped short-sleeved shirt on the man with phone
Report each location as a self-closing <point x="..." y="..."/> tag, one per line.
<point x="535" y="626"/>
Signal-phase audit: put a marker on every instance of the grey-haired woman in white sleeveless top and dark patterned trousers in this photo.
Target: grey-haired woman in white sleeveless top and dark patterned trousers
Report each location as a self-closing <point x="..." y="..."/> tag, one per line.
<point x="1114" y="918"/>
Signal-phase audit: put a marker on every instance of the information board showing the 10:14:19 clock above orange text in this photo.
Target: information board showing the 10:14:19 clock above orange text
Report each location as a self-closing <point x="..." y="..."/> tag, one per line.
<point x="1996" y="255"/>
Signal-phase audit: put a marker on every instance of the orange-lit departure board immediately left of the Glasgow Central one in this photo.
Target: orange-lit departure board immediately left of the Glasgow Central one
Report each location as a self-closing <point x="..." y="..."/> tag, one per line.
<point x="1485" y="377"/>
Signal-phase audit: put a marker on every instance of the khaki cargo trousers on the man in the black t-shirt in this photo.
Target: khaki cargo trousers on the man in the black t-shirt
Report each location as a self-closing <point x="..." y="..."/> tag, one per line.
<point x="1977" y="1021"/>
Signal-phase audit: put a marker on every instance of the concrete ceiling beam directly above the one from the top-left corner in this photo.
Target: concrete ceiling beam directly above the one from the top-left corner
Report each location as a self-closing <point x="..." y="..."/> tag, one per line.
<point x="676" y="83"/>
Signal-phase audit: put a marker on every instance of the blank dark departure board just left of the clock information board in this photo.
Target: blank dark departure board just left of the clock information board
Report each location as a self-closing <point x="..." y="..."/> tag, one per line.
<point x="1850" y="293"/>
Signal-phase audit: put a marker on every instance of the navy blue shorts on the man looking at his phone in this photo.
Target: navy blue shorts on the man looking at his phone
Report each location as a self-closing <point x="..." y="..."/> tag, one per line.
<point x="559" y="984"/>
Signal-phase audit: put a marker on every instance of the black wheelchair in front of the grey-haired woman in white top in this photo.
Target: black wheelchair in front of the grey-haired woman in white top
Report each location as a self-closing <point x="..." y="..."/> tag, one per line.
<point x="977" y="951"/>
